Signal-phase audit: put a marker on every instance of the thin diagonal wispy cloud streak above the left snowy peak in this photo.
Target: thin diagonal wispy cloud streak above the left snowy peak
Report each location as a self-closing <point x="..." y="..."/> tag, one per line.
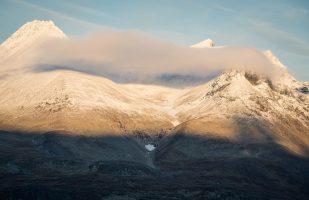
<point x="60" y="15"/>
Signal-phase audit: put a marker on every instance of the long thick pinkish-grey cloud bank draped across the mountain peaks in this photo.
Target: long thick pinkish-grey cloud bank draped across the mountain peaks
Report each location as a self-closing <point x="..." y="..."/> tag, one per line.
<point x="136" y="54"/>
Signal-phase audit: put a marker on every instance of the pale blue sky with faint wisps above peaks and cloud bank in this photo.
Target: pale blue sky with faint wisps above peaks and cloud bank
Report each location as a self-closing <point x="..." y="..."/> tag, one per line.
<point x="279" y="25"/>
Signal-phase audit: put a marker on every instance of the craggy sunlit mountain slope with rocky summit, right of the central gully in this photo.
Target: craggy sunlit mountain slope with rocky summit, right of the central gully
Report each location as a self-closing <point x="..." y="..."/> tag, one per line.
<point x="238" y="106"/>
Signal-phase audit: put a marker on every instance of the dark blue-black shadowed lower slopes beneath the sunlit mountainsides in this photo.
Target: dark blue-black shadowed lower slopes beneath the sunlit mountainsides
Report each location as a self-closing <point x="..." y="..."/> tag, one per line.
<point x="60" y="166"/>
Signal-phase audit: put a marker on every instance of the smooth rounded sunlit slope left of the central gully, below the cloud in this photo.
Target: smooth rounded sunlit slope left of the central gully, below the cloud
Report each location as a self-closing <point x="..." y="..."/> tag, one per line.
<point x="76" y="102"/>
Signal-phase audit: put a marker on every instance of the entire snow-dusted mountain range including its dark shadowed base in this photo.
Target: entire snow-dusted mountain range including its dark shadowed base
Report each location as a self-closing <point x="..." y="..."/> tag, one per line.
<point x="70" y="135"/>
